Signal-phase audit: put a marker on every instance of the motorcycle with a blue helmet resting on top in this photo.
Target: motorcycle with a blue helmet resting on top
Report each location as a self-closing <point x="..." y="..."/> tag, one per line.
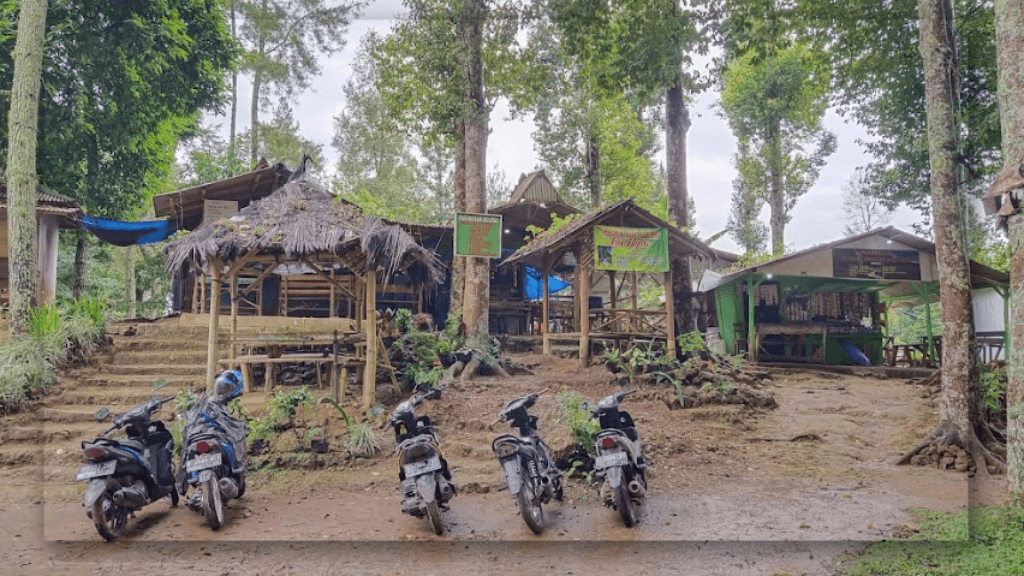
<point x="214" y="451"/>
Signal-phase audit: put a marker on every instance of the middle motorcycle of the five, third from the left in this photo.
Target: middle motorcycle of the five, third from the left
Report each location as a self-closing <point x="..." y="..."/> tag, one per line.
<point x="424" y="476"/>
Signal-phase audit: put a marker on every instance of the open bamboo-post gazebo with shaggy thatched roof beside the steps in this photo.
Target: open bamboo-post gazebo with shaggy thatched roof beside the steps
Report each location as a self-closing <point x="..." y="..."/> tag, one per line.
<point x="303" y="224"/>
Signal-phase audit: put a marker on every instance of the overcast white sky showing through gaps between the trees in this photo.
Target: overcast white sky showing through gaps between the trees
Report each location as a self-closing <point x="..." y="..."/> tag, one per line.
<point x="819" y="217"/>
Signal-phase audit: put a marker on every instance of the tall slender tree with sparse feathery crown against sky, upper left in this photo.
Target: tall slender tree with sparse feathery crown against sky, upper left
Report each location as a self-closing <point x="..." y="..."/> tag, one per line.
<point x="284" y="40"/>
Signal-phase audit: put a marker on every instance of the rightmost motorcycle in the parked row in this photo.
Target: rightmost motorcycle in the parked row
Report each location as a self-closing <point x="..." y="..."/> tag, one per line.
<point x="620" y="461"/>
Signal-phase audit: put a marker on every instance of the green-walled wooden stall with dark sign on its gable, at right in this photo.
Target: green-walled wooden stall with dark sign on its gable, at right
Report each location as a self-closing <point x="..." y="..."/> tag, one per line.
<point x="828" y="304"/>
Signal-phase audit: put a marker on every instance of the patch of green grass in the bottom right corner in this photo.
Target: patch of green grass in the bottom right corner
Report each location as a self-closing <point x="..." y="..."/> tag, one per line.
<point x="976" y="543"/>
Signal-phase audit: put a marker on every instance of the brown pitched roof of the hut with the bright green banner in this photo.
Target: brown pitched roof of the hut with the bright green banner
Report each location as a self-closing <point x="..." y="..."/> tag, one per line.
<point x="625" y="213"/>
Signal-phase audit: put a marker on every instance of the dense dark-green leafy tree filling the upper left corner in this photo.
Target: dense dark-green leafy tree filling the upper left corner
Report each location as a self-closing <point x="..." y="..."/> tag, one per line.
<point x="122" y="81"/>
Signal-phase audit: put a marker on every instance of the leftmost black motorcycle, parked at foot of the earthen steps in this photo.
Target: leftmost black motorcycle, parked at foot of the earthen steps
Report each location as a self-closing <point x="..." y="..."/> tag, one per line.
<point x="125" y="475"/>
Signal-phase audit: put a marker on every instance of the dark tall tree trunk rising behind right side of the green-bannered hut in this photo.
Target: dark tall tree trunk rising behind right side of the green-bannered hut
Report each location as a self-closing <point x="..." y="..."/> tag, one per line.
<point x="678" y="120"/>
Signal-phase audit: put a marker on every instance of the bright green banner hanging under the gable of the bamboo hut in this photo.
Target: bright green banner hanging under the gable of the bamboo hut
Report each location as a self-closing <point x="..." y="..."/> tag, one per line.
<point x="631" y="250"/>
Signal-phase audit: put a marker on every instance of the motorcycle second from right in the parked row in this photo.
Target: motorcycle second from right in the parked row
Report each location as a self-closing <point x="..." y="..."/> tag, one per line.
<point x="532" y="476"/>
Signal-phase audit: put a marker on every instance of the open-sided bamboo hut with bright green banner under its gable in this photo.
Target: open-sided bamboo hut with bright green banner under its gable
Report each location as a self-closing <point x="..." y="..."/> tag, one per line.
<point x="606" y="303"/>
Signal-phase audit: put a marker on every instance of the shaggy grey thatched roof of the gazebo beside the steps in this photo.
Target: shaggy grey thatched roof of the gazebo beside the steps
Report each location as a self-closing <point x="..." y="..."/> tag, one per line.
<point x="303" y="221"/>
